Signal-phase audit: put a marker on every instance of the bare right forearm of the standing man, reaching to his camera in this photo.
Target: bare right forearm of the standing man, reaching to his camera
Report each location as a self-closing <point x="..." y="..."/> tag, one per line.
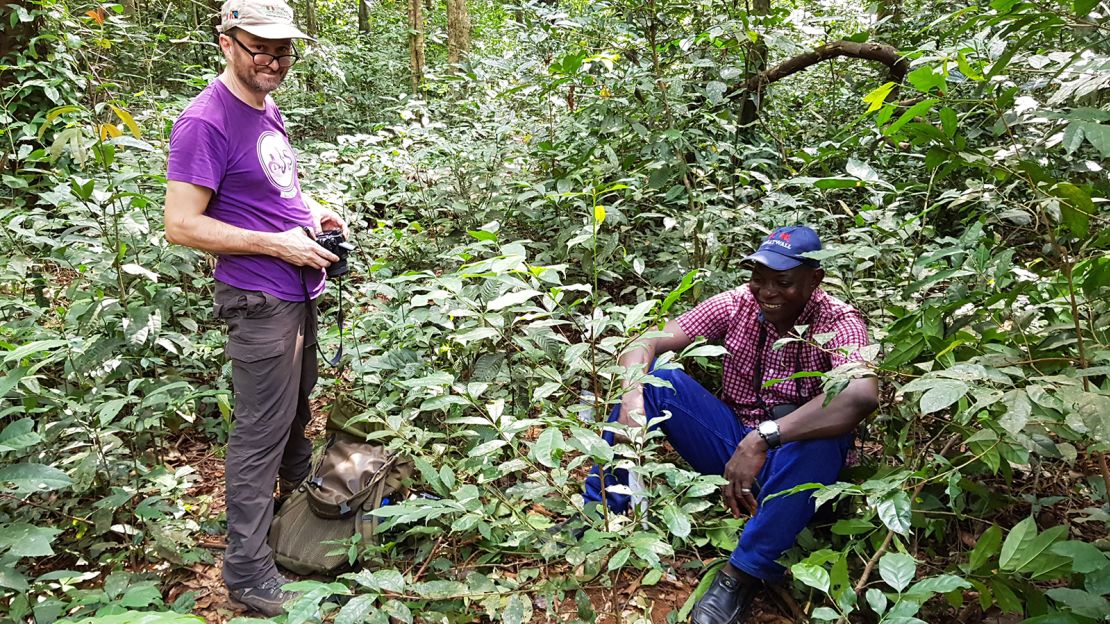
<point x="187" y="225"/>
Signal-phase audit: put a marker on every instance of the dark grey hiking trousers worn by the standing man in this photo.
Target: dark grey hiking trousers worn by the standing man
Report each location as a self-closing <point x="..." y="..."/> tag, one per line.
<point x="273" y="349"/>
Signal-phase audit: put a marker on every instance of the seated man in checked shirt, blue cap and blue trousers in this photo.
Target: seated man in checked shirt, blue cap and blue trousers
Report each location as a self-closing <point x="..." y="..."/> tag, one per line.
<point x="763" y="440"/>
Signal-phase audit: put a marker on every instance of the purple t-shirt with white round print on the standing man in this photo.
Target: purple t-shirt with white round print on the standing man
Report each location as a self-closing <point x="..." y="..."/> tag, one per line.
<point x="244" y="155"/>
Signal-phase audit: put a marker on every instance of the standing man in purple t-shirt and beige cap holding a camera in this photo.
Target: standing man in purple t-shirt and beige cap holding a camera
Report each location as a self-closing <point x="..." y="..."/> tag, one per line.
<point x="235" y="192"/>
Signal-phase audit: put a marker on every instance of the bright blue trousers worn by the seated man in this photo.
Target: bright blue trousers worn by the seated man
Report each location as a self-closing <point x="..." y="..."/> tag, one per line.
<point x="705" y="432"/>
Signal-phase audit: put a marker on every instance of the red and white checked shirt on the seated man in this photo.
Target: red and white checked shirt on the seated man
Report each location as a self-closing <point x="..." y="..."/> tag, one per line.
<point x="733" y="318"/>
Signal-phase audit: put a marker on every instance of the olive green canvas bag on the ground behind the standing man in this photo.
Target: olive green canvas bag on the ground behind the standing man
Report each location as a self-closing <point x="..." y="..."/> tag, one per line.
<point x="350" y="481"/>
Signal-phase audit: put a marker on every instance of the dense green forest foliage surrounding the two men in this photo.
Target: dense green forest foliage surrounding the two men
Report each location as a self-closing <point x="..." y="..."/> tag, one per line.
<point x="581" y="176"/>
